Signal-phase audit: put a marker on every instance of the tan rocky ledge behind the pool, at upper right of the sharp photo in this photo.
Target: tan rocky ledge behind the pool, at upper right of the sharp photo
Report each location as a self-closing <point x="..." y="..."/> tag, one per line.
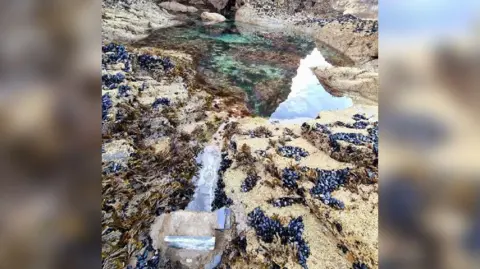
<point x="352" y="35"/>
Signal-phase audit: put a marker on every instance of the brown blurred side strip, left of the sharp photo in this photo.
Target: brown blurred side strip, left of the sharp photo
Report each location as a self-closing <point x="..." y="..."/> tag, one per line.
<point x="50" y="133"/>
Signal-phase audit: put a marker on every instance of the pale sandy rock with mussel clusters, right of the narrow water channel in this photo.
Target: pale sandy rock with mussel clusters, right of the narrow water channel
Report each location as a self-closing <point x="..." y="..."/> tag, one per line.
<point x="336" y="238"/>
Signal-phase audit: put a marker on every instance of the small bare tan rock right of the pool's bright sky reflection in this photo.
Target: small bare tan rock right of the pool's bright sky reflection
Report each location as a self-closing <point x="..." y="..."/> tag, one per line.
<point x="359" y="84"/>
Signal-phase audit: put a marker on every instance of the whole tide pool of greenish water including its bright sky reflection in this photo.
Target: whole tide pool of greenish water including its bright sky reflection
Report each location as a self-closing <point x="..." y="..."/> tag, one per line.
<point x="271" y="67"/>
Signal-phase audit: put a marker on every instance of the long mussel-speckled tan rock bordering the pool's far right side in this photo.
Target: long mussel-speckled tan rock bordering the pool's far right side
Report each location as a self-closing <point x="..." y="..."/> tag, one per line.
<point x="355" y="36"/>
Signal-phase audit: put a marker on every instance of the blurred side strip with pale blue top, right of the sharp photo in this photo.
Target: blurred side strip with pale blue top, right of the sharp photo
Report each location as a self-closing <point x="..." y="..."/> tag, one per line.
<point x="429" y="142"/>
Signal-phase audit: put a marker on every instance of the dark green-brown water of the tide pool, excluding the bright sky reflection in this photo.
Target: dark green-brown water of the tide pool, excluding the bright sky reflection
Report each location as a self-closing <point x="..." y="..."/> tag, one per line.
<point x="257" y="62"/>
